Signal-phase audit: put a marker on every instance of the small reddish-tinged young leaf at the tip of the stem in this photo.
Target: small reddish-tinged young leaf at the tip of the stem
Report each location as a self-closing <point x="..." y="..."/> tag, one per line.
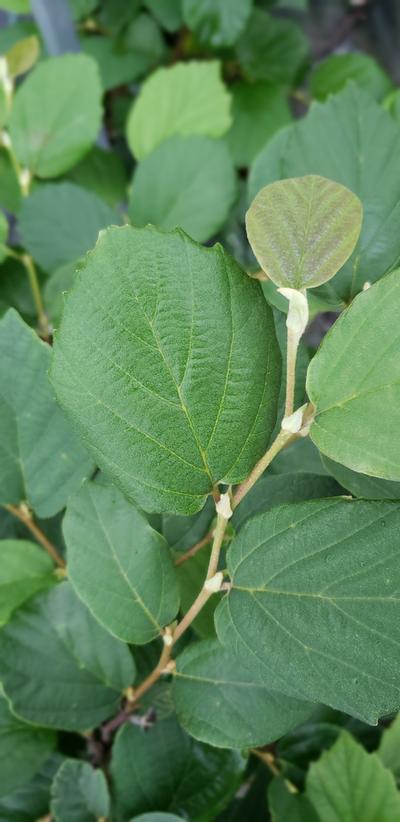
<point x="303" y="230"/>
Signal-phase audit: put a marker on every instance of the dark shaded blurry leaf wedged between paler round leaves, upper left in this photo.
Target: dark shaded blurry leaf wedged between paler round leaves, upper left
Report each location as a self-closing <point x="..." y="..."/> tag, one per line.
<point x="103" y="173"/>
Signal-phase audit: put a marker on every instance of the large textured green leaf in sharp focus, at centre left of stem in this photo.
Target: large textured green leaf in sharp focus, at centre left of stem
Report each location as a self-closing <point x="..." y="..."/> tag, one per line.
<point x="167" y="407"/>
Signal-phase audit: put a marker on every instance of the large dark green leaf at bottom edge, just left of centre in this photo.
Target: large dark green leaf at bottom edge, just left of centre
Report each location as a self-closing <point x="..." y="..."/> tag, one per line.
<point x="192" y="779"/>
